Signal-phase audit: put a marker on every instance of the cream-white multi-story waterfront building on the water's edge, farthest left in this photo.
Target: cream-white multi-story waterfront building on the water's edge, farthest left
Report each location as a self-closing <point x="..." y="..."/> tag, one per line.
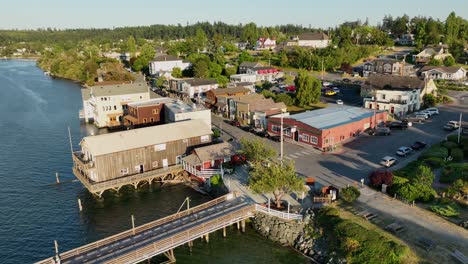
<point x="107" y="104"/>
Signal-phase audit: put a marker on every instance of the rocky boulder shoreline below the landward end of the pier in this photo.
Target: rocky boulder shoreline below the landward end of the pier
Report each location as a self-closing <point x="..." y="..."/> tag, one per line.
<point x="306" y="237"/>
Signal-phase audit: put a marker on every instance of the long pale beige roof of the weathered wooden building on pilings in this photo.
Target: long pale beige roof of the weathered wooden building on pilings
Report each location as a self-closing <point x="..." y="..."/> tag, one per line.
<point x="143" y="137"/>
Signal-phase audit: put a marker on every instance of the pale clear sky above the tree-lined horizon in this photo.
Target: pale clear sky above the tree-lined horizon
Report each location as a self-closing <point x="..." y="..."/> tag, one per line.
<point x="32" y="14"/>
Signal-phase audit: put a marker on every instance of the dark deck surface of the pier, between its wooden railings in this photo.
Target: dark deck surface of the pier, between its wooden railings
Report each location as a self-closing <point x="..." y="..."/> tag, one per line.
<point x="128" y="244"/>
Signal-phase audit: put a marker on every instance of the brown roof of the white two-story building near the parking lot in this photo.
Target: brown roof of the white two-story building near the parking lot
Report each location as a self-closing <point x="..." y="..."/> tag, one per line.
<point x="380" y="81"/>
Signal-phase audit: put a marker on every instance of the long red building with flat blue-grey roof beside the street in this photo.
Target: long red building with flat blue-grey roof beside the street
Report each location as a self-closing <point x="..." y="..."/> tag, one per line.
<point x="326" y="127"/>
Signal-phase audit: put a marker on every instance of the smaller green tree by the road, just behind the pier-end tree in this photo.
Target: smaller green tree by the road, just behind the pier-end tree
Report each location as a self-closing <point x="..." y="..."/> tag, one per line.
<point x="256" y="150"/>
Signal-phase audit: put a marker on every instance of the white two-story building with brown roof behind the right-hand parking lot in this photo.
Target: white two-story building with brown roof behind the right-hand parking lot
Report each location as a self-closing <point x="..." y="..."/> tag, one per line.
<point x="398" y="95"/>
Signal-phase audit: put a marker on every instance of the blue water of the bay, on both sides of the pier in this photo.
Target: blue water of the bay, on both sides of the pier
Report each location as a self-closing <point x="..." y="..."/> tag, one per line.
<point x="34" y="211"/>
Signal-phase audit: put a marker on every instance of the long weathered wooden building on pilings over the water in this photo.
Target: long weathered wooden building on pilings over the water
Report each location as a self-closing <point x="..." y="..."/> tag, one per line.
<point x="139" y="151"/>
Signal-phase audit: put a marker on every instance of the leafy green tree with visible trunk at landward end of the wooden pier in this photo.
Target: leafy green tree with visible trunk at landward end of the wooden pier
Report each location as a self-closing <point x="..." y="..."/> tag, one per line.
<point x="277" y="179"/>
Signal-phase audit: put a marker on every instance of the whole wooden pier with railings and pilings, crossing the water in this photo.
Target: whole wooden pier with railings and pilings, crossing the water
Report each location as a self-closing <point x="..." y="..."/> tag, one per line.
<point x="163" y="235"/>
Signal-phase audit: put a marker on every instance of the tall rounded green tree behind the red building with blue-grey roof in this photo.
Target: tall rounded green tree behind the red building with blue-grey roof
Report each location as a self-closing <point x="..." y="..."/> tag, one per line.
<point x="308" y="89"/>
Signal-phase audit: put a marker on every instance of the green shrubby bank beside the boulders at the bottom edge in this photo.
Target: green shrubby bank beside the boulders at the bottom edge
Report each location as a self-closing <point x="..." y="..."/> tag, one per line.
<point x="359" y="244"/>
